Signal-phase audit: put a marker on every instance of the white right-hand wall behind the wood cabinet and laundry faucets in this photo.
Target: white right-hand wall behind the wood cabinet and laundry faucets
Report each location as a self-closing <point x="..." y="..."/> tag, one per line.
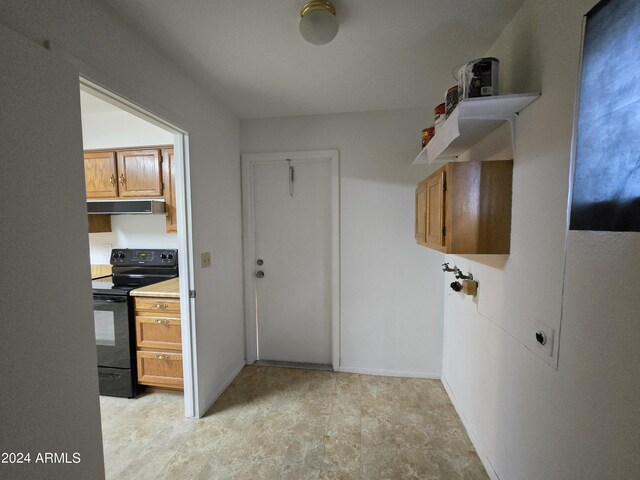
<point x="528" y="420"/>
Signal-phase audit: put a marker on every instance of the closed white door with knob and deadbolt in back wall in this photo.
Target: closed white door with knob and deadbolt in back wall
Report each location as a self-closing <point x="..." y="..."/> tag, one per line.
<point x="292" y="237"/>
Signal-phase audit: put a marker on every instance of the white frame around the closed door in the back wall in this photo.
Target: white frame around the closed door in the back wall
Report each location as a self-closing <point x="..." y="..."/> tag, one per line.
<point x="248" y="216"/>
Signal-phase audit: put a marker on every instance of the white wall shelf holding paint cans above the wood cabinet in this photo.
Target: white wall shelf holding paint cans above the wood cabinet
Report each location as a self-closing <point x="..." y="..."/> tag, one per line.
<point x="471" y="121"/>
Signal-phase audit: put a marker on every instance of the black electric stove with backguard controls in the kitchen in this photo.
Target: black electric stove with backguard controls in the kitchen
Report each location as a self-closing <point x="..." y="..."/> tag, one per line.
<point x="114" y="317"/>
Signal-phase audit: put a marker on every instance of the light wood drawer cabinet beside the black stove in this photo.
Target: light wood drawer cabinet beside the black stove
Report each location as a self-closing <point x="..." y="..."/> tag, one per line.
<point x="159" y="342"/>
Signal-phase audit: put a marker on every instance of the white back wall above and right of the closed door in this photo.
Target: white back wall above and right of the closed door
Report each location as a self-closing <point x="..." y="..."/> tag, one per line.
<point x="391" y="309"/>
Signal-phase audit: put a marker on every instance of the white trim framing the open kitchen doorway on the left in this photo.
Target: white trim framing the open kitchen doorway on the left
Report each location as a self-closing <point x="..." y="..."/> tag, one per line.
<point x="192" y="407"/>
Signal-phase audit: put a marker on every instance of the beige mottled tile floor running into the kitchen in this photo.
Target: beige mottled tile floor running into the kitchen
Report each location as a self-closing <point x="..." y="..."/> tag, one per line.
<point x="282" y="423"/>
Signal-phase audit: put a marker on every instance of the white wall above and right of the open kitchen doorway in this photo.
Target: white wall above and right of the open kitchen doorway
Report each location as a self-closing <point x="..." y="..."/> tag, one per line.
<point x="107" y="52"/>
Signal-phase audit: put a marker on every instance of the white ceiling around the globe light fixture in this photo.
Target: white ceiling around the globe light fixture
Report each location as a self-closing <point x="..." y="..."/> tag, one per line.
<point x="388" y="54"/>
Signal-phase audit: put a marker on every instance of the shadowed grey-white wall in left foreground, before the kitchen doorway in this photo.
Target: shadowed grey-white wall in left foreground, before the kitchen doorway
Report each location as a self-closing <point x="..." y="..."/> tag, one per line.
<point x="49" y="393"/>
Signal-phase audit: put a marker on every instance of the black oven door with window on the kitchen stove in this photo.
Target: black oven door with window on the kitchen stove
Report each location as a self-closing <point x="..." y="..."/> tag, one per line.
<point x="111" y="317"/>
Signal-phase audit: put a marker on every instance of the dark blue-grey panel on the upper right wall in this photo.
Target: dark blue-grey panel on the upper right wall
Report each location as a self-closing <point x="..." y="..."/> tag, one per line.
<point x="606" y="189"/>
